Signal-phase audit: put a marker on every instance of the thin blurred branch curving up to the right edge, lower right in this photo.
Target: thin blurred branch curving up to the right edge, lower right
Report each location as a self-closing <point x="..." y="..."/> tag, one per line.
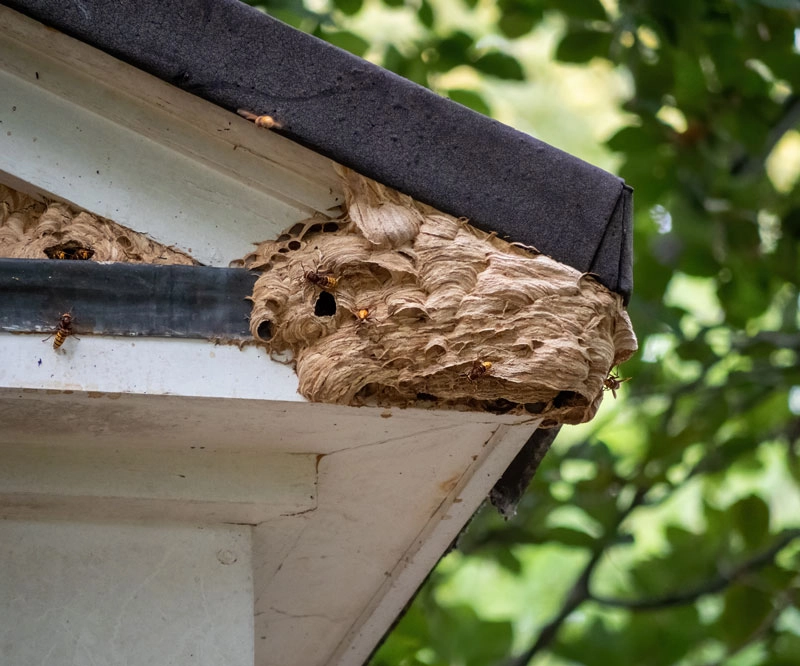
<point x="709" y="587"/>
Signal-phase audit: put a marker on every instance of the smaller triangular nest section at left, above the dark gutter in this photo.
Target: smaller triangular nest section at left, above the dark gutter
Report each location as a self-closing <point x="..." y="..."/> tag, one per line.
<point x="33" y="230"/>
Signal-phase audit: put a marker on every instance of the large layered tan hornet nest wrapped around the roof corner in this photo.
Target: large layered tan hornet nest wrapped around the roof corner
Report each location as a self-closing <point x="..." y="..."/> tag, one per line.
<point x="400" y="304"/>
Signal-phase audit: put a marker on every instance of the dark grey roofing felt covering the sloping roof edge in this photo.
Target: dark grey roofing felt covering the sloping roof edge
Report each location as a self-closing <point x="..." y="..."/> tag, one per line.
<point x="371" y="120"/>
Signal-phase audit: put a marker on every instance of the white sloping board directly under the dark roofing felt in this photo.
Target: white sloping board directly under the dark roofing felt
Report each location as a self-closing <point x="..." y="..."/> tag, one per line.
<point x="80" y="126"/>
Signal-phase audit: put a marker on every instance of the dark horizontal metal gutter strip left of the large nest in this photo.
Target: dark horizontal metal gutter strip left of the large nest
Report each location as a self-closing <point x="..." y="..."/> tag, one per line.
<point x="126" y="299"/>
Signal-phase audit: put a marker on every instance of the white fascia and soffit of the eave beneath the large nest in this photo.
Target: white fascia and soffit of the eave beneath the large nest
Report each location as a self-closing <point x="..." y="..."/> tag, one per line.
<point x="348" y="508"/>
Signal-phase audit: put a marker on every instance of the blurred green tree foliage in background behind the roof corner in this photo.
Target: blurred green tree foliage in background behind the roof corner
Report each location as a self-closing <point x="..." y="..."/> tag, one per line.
<point x="668" y="530"/>
